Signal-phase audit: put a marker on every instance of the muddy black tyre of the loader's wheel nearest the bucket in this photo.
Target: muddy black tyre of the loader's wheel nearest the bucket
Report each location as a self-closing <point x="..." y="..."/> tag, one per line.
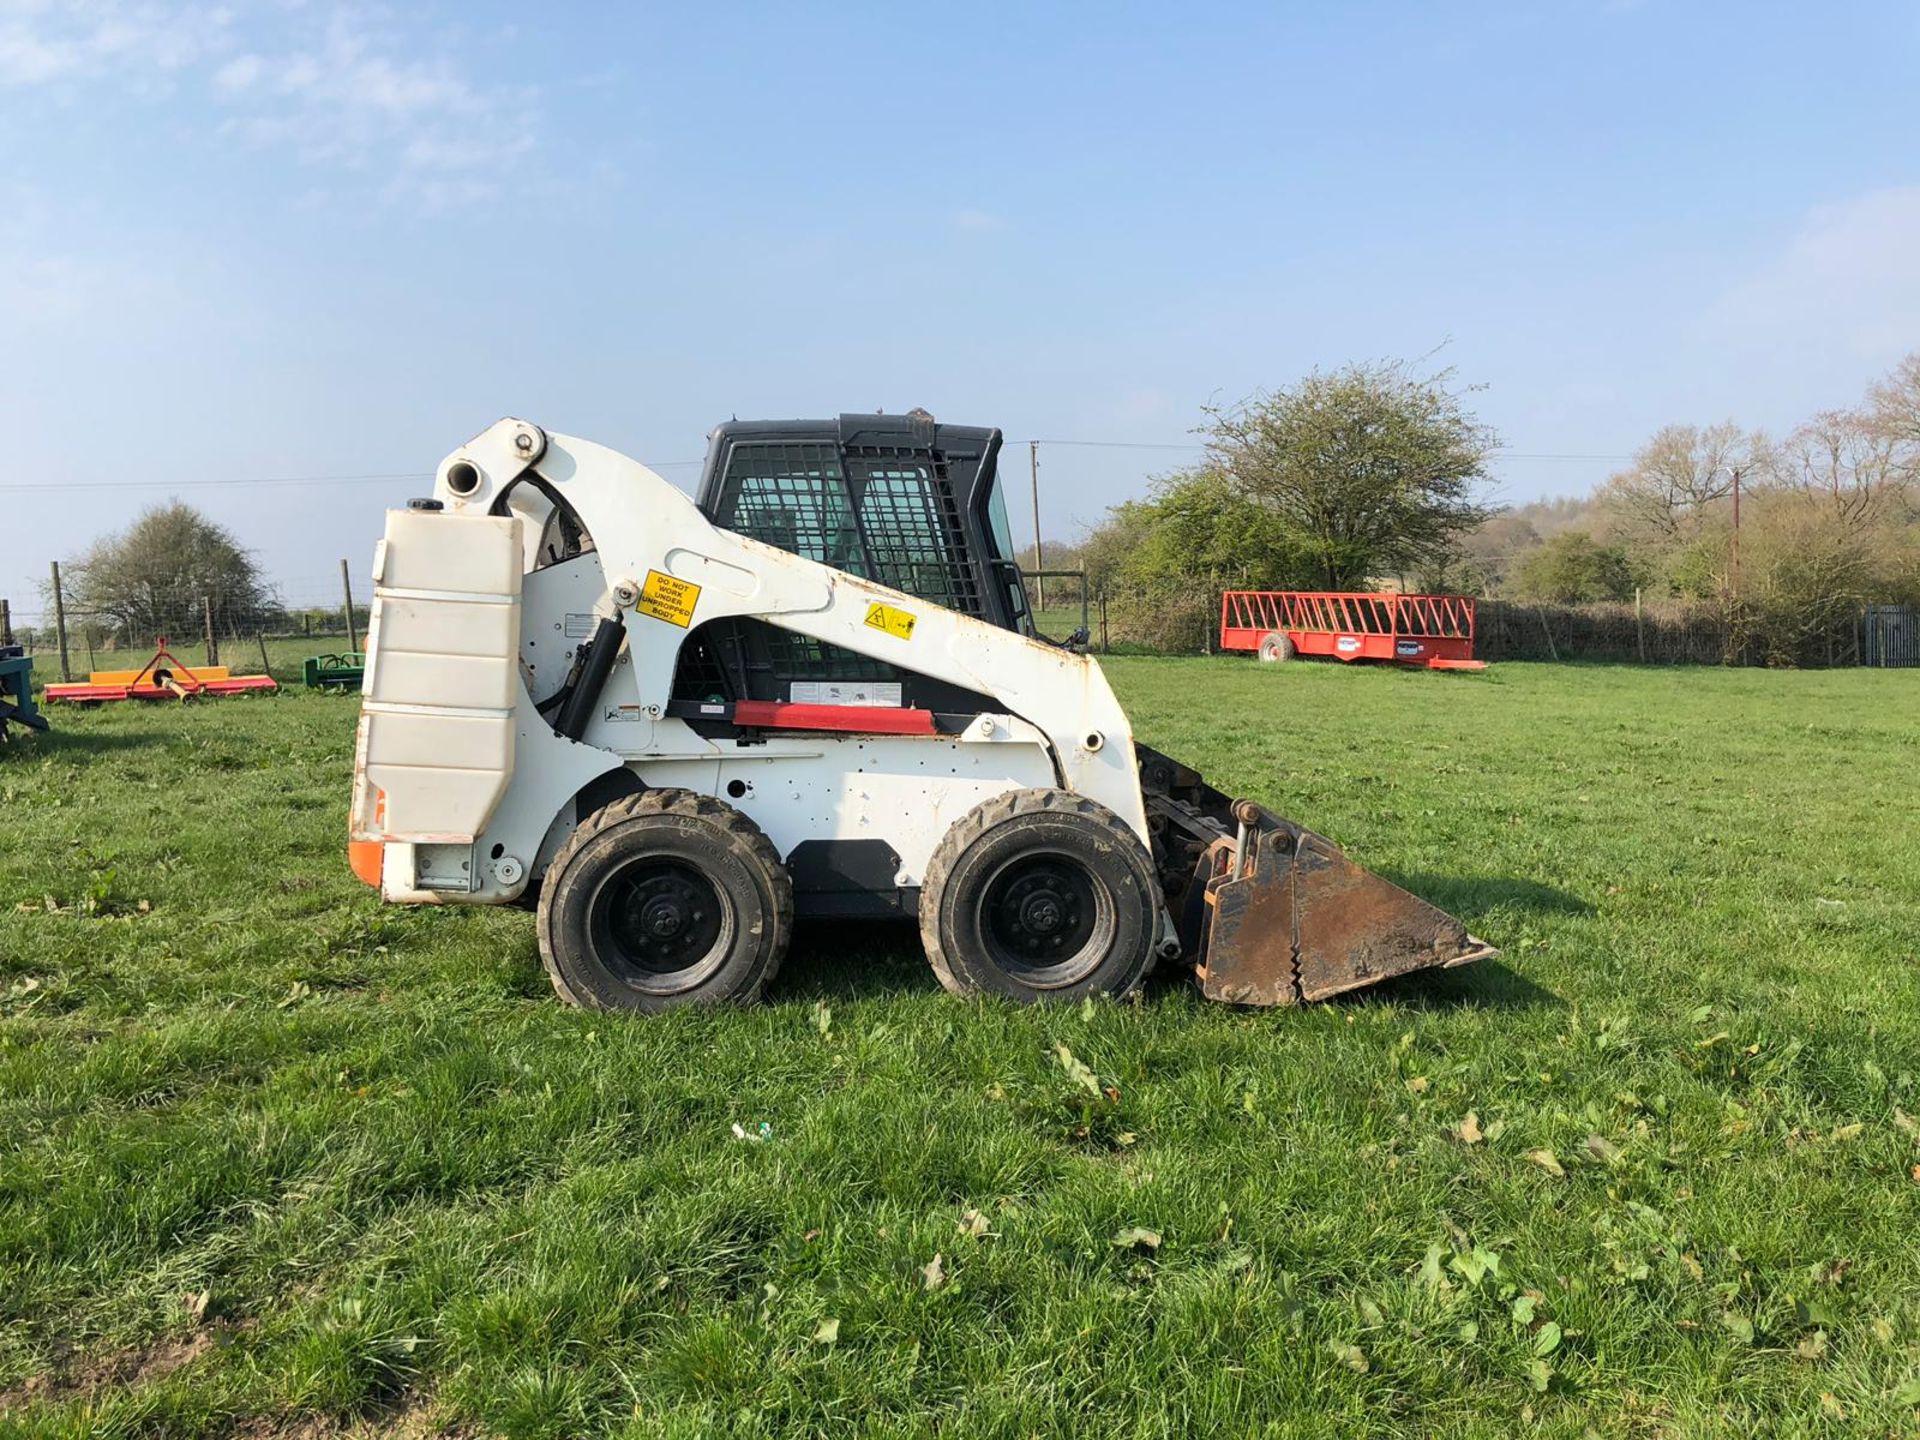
<point x="1065" y="836"/>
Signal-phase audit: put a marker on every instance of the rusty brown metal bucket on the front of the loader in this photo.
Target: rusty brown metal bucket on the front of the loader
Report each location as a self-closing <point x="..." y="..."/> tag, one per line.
<point x="1285" y="917"/>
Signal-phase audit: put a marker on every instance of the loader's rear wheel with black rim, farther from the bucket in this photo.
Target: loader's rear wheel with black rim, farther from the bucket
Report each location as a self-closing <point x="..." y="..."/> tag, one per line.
<point x="665" y="900"/>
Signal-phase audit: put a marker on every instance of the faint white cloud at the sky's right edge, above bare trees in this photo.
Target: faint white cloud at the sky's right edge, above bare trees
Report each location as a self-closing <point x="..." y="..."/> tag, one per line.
<point x="1846" y="287"/>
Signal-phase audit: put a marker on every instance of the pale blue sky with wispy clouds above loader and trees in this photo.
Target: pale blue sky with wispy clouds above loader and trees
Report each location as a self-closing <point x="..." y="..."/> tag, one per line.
<point x="314" y="241"/>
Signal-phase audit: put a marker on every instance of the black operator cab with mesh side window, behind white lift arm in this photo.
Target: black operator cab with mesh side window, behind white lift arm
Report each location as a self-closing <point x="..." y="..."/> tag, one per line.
<point x="901" y="500"/>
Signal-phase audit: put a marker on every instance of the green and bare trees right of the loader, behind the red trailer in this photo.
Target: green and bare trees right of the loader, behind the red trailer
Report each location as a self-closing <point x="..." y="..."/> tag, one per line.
<point x="1374" y="475"/>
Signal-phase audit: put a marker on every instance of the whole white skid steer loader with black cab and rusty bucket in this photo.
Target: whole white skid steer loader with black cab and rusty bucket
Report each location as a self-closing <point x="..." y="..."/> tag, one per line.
<point x="675" y="725"/>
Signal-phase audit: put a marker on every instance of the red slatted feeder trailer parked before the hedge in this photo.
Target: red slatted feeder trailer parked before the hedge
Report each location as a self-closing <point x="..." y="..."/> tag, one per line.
<point x="1431" y="631"/>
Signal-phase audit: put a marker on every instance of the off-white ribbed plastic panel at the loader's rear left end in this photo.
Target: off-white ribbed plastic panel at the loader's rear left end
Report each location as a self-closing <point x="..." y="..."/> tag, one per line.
<point x="437" y="723"/>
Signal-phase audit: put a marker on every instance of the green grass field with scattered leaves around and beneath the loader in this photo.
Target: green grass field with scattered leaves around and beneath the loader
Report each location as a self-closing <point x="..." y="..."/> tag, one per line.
<point x="279" y="1161"/>
